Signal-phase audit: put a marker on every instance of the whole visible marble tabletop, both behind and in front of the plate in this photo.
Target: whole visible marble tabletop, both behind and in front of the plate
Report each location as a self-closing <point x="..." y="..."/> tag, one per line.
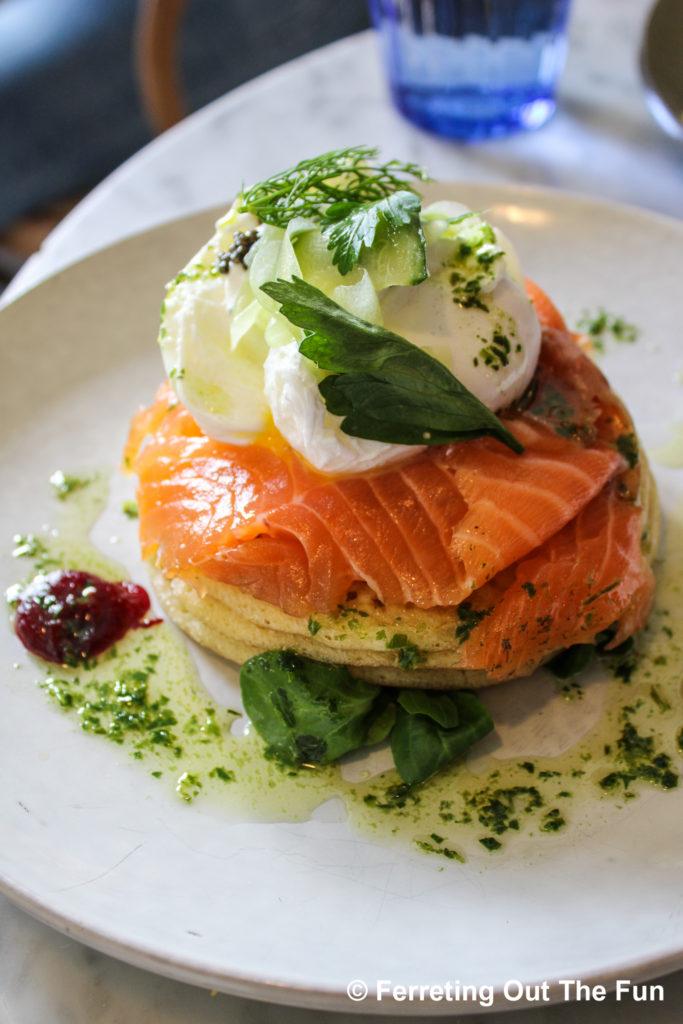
<point x="603" y="142"/>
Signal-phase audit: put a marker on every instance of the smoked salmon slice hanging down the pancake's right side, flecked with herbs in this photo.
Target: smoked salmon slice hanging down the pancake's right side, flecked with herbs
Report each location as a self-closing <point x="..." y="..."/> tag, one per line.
<point x="582" y="581"/>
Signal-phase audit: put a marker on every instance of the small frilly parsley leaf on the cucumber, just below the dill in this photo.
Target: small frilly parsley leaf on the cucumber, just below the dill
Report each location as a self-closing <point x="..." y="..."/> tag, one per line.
<point x="353" y="227"/>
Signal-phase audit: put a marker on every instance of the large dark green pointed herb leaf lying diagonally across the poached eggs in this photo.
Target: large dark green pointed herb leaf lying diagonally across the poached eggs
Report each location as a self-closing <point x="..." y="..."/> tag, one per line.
<point x="385" y="388"/>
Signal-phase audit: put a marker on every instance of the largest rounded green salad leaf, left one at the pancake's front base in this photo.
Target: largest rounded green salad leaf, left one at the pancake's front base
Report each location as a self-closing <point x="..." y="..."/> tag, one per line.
<point x="307" y="711"/>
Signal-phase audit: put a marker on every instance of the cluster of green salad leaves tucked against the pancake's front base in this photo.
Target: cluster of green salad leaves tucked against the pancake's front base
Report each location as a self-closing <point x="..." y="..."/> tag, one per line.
<point x="312" y="713"/>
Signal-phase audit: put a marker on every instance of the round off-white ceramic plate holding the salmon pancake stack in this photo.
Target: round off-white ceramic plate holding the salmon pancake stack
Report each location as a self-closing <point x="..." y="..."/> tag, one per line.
<point x="291" y="913"/>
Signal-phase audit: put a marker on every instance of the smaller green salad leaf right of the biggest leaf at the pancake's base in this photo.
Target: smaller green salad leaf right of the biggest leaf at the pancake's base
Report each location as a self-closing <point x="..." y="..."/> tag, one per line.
<point x="420" y="746"/>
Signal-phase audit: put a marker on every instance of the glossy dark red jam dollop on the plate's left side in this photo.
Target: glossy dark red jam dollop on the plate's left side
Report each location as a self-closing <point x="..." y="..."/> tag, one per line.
<point x="69" y="617"/>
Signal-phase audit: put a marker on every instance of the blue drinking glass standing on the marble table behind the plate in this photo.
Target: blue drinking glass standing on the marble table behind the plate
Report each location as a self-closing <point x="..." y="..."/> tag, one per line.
<point x="474" y="69"/>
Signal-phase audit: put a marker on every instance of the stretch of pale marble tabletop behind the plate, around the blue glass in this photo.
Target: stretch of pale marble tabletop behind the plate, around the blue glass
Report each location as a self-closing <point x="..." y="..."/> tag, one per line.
<point x="603" y="141"/>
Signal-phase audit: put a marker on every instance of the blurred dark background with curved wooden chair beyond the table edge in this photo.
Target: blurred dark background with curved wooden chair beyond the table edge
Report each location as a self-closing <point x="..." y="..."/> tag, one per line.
<point x="86" y="83"/>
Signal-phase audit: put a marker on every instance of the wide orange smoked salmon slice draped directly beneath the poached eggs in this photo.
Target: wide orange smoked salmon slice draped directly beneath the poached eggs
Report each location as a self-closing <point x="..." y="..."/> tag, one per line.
<point x="430" y="533"/>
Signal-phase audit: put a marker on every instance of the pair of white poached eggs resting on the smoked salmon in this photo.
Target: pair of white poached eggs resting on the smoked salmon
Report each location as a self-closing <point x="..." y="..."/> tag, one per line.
<point x="234" y="360"/>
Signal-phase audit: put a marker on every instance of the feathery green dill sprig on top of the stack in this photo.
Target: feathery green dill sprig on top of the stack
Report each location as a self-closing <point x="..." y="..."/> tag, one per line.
<point x="328" y="187"/>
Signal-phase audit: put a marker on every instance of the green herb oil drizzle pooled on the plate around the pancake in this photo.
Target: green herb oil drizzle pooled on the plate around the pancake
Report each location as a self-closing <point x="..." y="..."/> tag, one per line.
<point x="145" y="696"/>
